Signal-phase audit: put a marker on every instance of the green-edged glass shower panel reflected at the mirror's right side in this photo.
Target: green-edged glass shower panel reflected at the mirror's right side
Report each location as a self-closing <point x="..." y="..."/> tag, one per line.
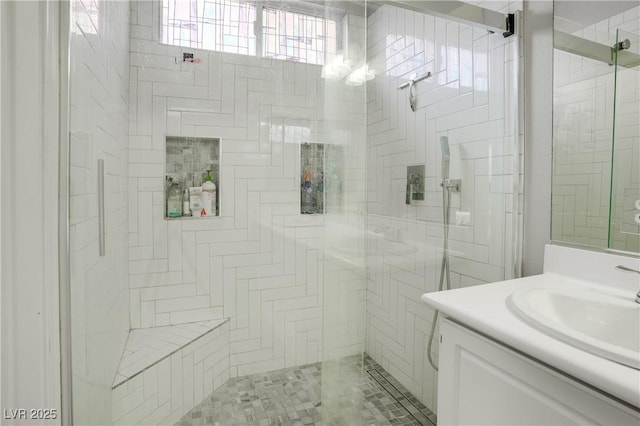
<point x="624" y="217"/>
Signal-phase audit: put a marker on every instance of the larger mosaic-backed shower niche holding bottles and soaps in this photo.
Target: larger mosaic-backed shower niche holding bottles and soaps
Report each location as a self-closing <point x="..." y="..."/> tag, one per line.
<point x="192" y="177"/>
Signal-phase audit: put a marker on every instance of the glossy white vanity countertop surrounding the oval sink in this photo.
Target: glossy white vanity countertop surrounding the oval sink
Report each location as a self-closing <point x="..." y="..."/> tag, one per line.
<point x="484" y="309"/>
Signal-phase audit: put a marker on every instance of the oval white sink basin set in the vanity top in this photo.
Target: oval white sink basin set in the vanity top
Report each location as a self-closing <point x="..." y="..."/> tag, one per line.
<point x="602" y="323"/>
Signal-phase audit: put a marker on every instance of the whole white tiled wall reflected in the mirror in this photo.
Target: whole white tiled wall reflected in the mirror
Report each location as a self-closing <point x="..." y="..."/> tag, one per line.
<point x="583" y="130"/>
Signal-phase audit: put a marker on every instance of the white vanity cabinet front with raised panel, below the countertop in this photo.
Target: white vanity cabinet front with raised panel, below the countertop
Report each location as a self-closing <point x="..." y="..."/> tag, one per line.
<point x="482" y="382"/>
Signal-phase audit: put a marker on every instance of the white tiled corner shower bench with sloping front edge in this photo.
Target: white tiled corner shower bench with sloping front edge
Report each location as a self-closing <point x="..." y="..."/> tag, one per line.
<point x="165" y="371"/>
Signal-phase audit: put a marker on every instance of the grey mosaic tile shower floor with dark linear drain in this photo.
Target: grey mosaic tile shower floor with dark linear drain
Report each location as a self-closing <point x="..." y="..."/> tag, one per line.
<point x="294" y="396"/>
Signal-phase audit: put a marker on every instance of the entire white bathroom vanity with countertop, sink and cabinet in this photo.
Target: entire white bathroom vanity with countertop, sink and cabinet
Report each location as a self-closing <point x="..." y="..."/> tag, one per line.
<point x="502" y="366"/>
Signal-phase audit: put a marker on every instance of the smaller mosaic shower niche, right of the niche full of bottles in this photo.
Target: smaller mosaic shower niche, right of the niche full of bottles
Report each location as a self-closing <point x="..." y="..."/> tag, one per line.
<point x="321" y="167"/>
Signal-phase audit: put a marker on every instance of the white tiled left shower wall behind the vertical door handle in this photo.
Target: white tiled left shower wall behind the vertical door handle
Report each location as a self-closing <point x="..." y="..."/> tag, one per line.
<point x="99" y="93"/>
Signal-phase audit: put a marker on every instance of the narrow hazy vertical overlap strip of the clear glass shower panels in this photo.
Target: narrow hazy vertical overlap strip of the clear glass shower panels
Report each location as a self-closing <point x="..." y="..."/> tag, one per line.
<point x="343" y="128"/>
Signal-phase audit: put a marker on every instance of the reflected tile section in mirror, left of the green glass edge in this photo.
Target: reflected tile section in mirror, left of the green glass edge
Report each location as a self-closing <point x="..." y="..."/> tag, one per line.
<point x="583" y="126"/>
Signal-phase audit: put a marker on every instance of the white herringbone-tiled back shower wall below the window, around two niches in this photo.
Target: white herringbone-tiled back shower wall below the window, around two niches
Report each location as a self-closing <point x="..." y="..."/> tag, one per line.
<point x="260" y="263"/>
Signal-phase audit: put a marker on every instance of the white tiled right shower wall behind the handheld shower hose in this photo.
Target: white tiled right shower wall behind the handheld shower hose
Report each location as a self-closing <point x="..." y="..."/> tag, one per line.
<point x="468" y="99"/>
